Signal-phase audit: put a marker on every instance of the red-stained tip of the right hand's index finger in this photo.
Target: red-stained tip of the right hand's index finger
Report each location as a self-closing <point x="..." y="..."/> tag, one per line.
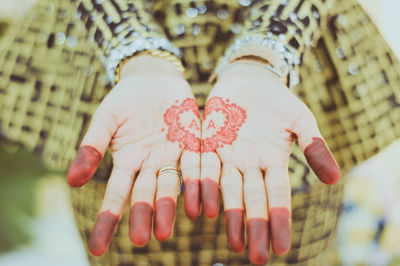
<point x="280" y="229"/>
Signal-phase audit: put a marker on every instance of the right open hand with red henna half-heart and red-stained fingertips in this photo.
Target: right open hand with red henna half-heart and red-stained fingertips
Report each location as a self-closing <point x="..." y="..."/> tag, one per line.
<point x="250" y="123"/>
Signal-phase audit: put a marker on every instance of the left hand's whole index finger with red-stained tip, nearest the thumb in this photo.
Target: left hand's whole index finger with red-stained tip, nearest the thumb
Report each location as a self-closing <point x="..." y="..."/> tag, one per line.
<point x="114" y="202"/>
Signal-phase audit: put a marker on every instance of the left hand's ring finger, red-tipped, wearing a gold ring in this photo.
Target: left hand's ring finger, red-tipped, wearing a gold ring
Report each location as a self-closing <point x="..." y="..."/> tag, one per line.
<point x="167" y="192"/>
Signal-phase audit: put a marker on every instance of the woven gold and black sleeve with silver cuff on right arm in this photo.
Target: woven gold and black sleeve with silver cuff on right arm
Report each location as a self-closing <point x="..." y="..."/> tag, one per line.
<point x="286" y="27"/>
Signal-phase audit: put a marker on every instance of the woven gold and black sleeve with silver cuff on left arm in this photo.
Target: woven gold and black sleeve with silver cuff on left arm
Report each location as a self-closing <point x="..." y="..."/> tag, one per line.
<point x="121" y="28"/>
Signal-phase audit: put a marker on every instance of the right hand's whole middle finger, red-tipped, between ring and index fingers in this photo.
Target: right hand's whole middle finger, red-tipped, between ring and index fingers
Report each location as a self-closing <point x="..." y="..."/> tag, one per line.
<point x="255" y="200"/>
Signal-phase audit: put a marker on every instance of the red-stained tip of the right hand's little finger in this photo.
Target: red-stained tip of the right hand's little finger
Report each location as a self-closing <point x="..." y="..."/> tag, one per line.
<point x="210" y="197"/>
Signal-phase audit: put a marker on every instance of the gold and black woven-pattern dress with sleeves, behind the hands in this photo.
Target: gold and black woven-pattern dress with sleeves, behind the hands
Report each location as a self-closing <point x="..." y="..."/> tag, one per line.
<point x="52" y="80"/>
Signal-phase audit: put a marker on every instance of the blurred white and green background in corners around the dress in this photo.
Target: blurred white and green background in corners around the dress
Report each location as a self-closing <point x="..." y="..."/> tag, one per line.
<point x="43" y="232"/>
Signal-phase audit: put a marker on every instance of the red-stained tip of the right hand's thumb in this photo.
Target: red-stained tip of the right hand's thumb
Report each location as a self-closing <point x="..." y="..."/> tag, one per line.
<point x="321" y="161"/>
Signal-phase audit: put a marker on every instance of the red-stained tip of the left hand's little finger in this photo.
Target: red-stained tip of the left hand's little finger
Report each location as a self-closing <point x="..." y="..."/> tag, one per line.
<point x="192" y="198"/>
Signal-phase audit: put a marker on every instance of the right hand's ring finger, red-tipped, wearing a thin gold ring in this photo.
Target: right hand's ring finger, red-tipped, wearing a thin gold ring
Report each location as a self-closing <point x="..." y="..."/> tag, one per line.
<point x="232" y="193"/>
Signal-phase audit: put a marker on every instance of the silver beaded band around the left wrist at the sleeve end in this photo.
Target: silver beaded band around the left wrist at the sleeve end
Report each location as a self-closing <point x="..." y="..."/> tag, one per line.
<point x="139" y="44"/>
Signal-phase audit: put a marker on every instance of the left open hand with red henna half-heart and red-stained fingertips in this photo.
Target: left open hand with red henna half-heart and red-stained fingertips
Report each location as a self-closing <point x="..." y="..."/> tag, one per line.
<point x="150" y="120"/>
